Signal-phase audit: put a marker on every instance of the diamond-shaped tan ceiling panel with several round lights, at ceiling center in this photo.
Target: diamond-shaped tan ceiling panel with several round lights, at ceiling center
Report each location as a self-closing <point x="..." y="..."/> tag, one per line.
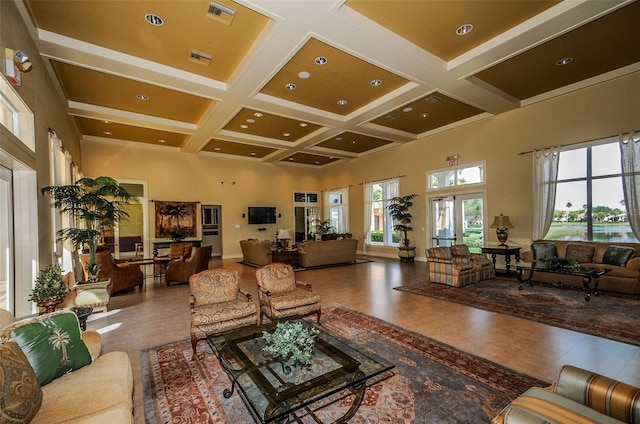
<point x="326" y="78"/>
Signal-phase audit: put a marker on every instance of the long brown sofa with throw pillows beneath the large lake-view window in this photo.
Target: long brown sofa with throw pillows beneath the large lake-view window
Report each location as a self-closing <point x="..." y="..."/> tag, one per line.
<point x="623" y="259"/>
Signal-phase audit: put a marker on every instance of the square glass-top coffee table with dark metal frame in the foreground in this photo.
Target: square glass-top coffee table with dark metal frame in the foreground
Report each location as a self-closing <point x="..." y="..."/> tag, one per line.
<point x="276" y="391"/>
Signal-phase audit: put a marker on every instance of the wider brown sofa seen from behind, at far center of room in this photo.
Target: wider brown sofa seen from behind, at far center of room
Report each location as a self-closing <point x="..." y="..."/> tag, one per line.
<point x="330" y="252"/>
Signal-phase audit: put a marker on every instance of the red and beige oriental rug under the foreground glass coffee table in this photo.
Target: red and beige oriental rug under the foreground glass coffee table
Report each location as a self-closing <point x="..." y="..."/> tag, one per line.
<point x="432" y="382"/>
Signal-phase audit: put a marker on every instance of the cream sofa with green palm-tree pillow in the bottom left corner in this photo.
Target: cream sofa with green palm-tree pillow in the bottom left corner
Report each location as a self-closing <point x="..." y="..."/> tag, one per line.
<point x="92" y="388"/>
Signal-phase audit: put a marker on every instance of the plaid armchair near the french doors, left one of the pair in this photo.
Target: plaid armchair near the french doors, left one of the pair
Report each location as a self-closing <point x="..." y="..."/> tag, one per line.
<point x="444" y="269"/>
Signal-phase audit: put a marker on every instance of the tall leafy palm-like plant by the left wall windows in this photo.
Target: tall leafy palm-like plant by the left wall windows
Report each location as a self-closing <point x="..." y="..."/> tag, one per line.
<point x="93" y="204"/>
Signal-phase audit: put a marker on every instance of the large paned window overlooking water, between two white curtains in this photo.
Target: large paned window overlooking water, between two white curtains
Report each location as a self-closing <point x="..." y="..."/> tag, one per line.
<point x="589" y="201"/>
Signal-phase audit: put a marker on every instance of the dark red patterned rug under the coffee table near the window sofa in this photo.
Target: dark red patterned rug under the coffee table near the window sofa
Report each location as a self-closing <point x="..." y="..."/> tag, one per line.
<point x="610" y="315"/>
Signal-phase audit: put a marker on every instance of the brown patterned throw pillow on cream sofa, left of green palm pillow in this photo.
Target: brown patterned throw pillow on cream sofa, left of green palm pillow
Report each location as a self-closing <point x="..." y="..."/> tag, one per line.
<point x="20" y="393"/>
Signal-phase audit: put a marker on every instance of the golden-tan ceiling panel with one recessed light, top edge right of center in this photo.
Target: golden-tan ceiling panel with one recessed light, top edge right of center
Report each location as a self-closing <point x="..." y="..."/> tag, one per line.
<point x="432" y="25"/>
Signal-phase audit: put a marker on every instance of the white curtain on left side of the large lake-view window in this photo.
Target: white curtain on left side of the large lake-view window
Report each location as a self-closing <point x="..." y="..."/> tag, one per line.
<point x="545" y="177"/>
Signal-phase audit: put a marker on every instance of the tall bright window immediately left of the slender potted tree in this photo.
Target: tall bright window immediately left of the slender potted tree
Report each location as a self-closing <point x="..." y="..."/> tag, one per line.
<point x="378" y="222"/>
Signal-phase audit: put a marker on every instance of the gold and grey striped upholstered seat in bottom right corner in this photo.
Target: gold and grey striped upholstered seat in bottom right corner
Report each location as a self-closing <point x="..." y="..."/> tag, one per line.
<point x="577" y="396"/>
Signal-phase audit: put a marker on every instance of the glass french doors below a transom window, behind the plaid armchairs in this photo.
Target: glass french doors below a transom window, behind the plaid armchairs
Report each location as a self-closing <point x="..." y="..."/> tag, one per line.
<point x="458" y="219"/>
